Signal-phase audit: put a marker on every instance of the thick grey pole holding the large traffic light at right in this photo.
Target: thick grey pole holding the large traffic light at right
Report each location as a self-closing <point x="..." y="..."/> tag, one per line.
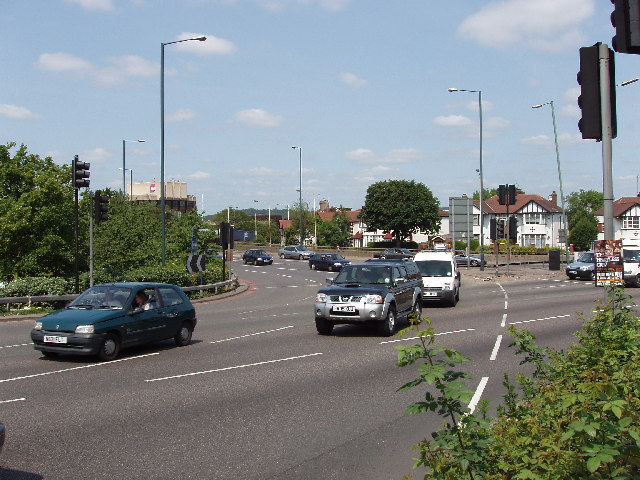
<point x="607" y="134"/>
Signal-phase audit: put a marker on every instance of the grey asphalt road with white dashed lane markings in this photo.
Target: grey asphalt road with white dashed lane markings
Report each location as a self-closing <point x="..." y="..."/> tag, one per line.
<point x="258" y="394"/>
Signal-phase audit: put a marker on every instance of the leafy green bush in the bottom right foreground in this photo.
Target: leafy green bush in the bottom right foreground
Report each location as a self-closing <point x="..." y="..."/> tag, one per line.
<point x="576" y="416"/>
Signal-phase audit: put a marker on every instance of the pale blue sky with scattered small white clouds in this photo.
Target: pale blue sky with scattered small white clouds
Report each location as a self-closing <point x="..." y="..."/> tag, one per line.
<point x="361" y="86"/>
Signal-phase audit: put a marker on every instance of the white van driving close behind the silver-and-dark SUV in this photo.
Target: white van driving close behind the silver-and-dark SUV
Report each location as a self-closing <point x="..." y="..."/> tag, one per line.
<point x="440" y="277"/>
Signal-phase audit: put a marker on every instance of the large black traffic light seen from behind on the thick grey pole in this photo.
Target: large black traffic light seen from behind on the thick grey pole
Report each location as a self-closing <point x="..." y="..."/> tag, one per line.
<point x="589" y="101"/>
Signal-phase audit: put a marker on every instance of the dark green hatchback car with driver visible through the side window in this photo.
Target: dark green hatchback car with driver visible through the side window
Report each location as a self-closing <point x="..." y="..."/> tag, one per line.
<point x="105" y="319"/>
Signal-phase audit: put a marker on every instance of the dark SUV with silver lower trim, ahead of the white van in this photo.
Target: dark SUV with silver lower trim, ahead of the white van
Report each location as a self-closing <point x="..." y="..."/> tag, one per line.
<point x="376" y="291"/>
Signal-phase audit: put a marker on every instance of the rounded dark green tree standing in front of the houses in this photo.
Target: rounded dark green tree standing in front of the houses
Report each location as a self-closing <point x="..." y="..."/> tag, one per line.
<point x="400" y="207"/>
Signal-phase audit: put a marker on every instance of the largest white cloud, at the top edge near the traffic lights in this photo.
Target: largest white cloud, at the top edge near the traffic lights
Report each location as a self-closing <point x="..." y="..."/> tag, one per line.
<point x="544" y="25"/>
